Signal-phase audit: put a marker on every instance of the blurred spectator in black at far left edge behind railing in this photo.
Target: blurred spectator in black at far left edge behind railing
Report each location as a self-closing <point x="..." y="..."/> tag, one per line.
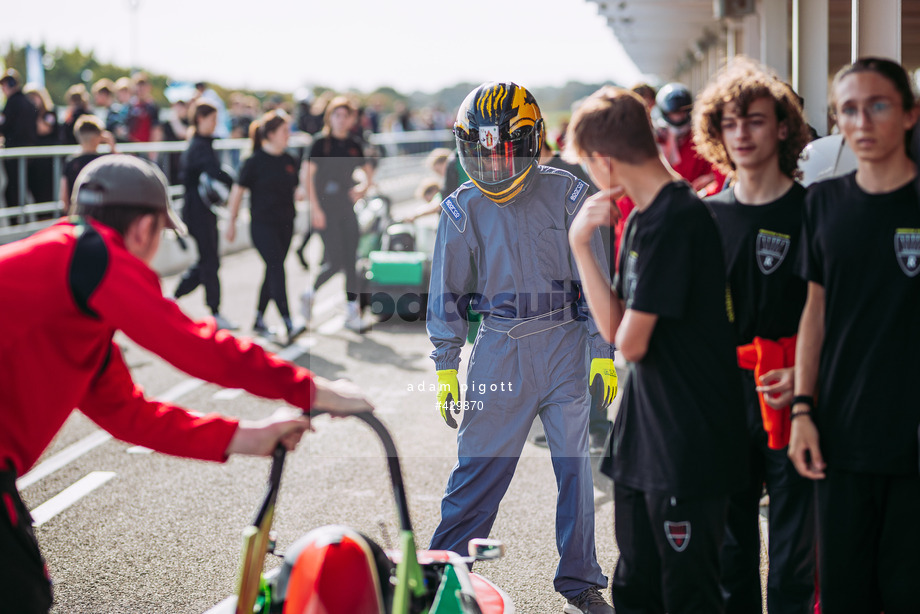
<point x="18" y="128"/>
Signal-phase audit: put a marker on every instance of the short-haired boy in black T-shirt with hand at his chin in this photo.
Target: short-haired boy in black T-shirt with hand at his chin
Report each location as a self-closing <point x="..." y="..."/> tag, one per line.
<point x="678" y="447"/>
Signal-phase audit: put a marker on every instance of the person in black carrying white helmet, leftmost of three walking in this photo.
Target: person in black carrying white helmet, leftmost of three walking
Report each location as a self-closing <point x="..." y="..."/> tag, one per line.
<point x="198" y="159"/>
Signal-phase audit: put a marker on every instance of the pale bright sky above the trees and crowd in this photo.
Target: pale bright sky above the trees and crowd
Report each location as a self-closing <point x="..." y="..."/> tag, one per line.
<point x="286" y="44"/>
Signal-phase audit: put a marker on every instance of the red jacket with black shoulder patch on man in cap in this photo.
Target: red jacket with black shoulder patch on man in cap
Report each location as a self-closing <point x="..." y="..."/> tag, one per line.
<point x="55" y="357"/>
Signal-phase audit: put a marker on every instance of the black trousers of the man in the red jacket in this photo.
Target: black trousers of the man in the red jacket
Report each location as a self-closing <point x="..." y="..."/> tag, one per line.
<point x="24" y="584"/>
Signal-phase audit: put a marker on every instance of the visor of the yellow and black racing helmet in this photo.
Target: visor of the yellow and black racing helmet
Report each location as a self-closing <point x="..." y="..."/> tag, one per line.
<point x="491" y="158"/>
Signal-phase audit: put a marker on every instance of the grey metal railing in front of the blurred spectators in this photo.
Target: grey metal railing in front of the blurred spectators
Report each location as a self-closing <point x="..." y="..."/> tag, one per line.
<point x="399" y="159"/>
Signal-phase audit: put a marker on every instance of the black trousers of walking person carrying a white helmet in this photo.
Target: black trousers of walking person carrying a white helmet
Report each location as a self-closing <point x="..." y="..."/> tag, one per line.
<point x="202" y="226"/>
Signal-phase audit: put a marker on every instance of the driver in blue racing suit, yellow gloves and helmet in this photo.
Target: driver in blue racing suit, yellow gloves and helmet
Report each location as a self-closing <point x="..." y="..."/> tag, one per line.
<point x="502" y="250"/>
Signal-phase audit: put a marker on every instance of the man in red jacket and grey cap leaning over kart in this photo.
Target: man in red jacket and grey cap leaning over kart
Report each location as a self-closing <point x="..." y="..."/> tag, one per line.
<point x="66" y="291"/>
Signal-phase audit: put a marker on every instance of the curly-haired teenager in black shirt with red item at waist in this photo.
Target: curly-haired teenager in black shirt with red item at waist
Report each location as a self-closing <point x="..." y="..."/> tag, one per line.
<point x="749" y="124"/>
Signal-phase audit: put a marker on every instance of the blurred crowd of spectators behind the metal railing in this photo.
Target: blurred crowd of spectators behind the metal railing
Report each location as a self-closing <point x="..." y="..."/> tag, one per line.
<point x="130" y="113"/>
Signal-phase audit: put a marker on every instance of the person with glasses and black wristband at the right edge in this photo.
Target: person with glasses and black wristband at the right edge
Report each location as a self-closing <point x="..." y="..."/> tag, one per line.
<point x="855" y="413"/>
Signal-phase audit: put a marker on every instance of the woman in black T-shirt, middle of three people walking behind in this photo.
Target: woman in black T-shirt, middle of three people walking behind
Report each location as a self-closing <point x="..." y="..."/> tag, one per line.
<point x="270" y="175"/>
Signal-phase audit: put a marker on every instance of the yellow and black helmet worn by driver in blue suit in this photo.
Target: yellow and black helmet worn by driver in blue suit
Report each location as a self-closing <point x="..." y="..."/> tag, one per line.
<point x="499" y="132"/>
